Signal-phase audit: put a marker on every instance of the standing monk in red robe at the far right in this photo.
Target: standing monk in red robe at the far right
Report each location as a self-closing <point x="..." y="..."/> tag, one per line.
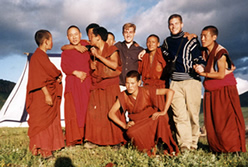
<point x="223" y="117"/>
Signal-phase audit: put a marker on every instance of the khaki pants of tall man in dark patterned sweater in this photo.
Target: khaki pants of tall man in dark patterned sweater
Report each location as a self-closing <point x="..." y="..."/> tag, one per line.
<point x="186" y="107"/>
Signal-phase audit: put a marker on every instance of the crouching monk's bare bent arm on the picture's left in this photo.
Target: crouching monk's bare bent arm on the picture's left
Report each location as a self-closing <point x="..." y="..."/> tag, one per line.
<point x="112" y="115"/>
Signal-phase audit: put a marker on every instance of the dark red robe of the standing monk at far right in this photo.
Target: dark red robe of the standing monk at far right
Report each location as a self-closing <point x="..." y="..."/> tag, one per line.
<point x="223" y="117"/>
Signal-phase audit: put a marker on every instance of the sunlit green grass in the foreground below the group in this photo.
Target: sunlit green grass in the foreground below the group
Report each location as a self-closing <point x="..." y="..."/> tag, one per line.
<point x="14" y="152"/>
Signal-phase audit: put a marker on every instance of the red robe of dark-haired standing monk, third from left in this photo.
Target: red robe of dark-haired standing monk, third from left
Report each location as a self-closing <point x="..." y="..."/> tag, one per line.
<point x="104" y="90"/>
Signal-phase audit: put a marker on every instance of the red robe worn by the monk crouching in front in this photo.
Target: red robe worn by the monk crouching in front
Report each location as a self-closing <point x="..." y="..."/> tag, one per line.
<point x="146" y="132"/>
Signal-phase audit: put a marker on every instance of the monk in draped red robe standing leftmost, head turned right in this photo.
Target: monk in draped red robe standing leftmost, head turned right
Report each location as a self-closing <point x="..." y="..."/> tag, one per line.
<point x="44" y="90"/>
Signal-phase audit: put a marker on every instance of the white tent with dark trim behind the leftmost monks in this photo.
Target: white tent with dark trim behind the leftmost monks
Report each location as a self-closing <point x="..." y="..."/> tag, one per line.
<point x="13" y="112"/>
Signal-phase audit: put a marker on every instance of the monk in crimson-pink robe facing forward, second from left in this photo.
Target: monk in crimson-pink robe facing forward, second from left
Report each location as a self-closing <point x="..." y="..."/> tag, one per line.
<point x="77" y="89"/>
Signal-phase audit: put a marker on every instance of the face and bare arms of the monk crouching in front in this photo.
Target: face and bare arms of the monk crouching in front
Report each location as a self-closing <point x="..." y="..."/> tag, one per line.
<point x="132" y="87"/>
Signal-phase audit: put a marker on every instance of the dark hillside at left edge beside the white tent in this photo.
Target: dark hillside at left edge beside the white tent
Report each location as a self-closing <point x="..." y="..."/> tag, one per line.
<point x="5" y="89"/>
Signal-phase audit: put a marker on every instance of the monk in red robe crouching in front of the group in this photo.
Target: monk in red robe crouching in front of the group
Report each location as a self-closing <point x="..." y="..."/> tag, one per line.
<point x="147" y="125"/>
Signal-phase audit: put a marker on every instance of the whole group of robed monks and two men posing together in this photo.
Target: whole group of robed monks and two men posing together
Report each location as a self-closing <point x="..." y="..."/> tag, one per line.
<point x="105" y="103"/>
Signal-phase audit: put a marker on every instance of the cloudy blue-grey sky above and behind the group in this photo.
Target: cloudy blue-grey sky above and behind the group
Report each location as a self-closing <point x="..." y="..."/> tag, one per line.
<point x="20" y="19"/>
